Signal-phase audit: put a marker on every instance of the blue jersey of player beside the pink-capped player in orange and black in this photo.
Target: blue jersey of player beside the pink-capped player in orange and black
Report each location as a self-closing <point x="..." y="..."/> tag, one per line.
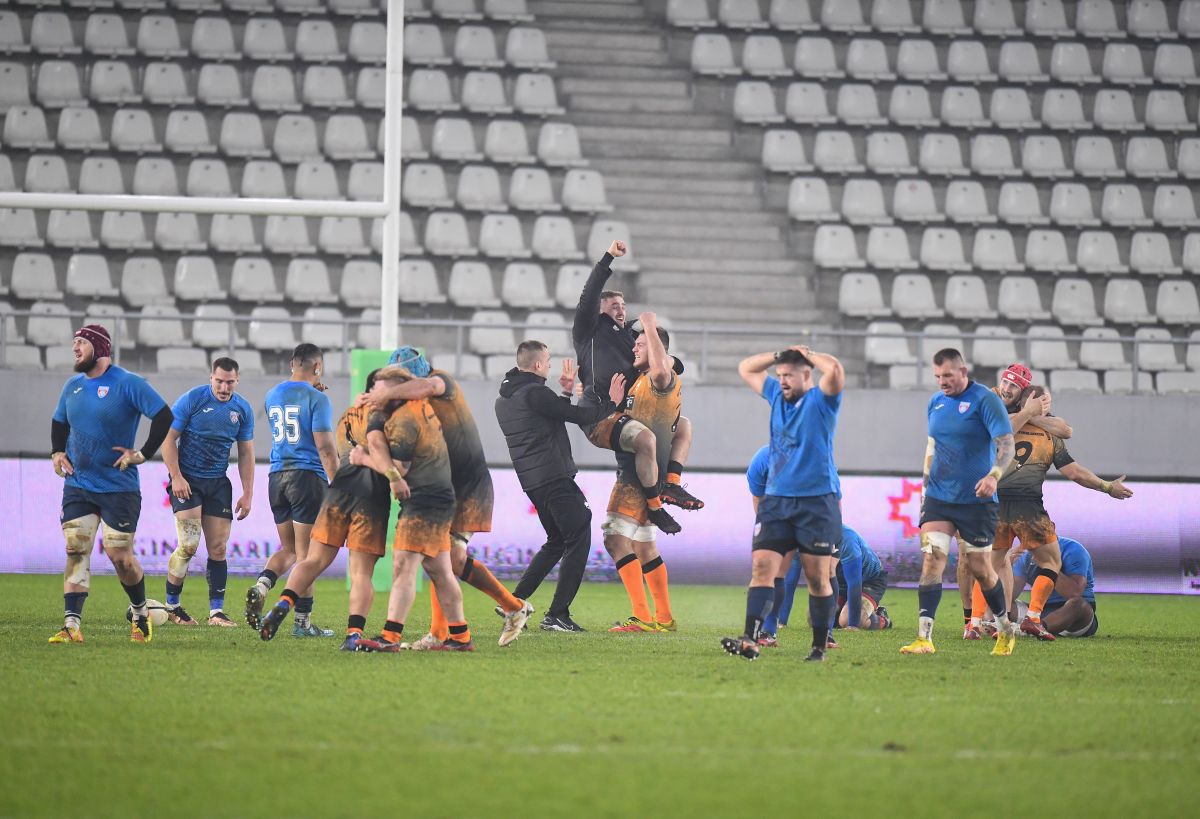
<point x="963" y="428"/>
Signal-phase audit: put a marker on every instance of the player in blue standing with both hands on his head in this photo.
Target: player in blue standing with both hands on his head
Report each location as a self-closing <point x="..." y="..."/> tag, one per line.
<point x="800" y="510"/>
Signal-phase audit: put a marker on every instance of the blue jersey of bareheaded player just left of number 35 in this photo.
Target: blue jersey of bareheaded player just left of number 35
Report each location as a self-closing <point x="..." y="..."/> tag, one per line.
<point x="208" y="428"/>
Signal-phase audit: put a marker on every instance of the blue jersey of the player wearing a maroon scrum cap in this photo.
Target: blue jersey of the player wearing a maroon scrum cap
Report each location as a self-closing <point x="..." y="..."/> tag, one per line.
<point x="104" y="413"/>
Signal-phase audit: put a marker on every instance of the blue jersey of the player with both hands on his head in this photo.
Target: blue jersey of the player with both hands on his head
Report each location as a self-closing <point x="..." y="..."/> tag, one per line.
<point x="802" y="443"/>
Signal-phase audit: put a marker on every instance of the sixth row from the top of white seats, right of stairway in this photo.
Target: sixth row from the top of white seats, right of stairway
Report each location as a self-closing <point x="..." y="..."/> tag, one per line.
<point x="994" y="250"/>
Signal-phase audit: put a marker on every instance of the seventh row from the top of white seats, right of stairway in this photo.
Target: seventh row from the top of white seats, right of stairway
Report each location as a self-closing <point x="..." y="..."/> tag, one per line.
<point x="861" y="295"/>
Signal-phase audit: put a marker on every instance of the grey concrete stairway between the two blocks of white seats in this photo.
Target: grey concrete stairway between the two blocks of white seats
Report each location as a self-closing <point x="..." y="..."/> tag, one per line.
<point x="712" y="253"/>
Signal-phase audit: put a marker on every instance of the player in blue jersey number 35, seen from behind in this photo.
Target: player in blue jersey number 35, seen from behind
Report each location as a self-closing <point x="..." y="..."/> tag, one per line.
<point x="304" y="457"/>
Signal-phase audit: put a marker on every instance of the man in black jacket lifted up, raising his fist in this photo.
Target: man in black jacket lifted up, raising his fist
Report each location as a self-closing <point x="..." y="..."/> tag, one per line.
<point x="604" y="345"/>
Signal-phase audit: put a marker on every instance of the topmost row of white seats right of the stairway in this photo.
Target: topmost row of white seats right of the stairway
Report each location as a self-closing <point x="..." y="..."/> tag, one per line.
<point x="992" y="19"/>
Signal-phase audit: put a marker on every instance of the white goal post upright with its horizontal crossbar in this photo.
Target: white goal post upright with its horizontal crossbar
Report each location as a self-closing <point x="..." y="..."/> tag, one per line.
<point x="388" y="210"/>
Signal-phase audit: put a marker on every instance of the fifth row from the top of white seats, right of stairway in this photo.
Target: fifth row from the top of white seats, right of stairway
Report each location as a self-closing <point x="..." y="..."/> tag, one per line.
<point x="1071" y="205"/>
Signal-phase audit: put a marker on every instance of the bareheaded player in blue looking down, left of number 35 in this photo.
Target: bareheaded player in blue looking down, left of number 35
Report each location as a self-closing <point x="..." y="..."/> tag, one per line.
<point x="208" y="421"/>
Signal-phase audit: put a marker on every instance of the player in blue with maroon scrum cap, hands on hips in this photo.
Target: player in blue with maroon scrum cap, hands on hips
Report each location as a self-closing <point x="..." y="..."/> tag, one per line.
<point x="92" y="446"/>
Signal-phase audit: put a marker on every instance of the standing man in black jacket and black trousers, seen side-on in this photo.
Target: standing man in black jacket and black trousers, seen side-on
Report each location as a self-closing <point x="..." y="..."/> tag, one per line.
<point x="535" y="425"/>
